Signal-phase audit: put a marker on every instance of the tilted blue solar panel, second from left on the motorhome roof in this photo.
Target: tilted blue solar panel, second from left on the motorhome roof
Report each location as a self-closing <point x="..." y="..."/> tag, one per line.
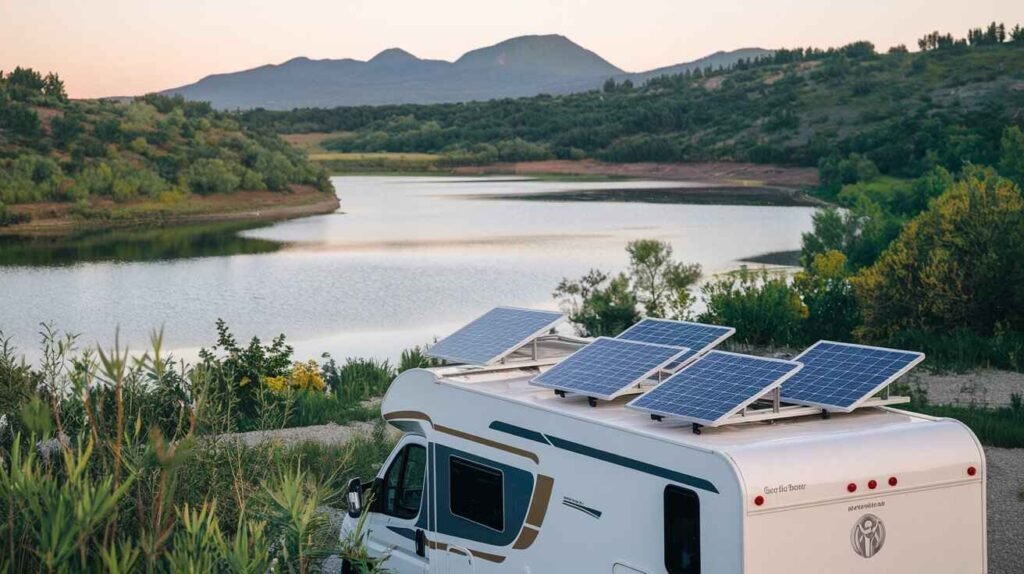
<point x="608" y="368"/>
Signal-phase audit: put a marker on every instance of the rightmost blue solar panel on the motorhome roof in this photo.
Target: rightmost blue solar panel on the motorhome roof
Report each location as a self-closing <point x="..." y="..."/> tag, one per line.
<point x="841" y="376"/>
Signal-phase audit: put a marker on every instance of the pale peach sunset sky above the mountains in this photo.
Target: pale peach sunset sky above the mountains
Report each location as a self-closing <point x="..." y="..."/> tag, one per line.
<point x="131" y="48"/>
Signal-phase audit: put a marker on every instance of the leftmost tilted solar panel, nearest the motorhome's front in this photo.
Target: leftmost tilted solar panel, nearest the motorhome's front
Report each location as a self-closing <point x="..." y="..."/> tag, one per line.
<point x="494" y="336"/>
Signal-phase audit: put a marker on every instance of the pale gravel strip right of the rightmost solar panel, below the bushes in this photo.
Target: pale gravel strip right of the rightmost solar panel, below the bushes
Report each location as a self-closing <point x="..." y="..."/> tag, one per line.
<point x="989" y="387"/>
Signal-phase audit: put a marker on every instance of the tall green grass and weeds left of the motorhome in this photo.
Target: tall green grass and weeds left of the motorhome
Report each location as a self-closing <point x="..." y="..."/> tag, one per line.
<point x="115" y="464"/>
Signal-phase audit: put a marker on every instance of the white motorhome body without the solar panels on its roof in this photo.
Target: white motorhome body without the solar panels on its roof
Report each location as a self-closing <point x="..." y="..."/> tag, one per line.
<point x="496" y="475"/>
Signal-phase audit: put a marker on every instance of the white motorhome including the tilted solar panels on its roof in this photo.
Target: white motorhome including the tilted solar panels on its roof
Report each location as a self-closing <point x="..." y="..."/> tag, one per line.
<point x="509" y="464"/>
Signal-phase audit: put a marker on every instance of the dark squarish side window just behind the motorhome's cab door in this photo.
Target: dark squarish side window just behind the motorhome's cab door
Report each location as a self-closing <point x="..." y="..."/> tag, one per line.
<point x="478" y="494"/>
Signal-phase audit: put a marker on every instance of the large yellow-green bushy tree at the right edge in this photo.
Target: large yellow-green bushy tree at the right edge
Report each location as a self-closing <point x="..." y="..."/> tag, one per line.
<point x="955" y="267"/>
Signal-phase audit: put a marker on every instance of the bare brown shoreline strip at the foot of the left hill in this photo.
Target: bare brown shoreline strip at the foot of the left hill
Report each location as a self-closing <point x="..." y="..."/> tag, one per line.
<point x="61" y="218"/>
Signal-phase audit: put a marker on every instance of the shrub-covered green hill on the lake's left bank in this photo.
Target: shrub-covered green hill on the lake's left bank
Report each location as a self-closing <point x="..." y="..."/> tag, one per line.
<point x="67" y="163"/>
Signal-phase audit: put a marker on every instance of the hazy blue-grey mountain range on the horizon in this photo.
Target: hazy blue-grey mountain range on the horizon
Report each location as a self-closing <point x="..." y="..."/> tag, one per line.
<point x="521" y="67"/>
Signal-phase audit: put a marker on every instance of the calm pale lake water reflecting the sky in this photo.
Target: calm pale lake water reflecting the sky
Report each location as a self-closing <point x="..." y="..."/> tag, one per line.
<point x="407" y="259"/>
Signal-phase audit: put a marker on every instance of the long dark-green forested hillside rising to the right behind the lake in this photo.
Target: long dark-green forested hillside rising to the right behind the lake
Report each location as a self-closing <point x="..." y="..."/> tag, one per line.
<point x="906" y="112"/>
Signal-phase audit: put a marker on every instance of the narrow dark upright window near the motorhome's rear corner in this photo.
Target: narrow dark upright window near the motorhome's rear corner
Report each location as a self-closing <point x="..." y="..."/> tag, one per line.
<point x="682" y="532"/>
